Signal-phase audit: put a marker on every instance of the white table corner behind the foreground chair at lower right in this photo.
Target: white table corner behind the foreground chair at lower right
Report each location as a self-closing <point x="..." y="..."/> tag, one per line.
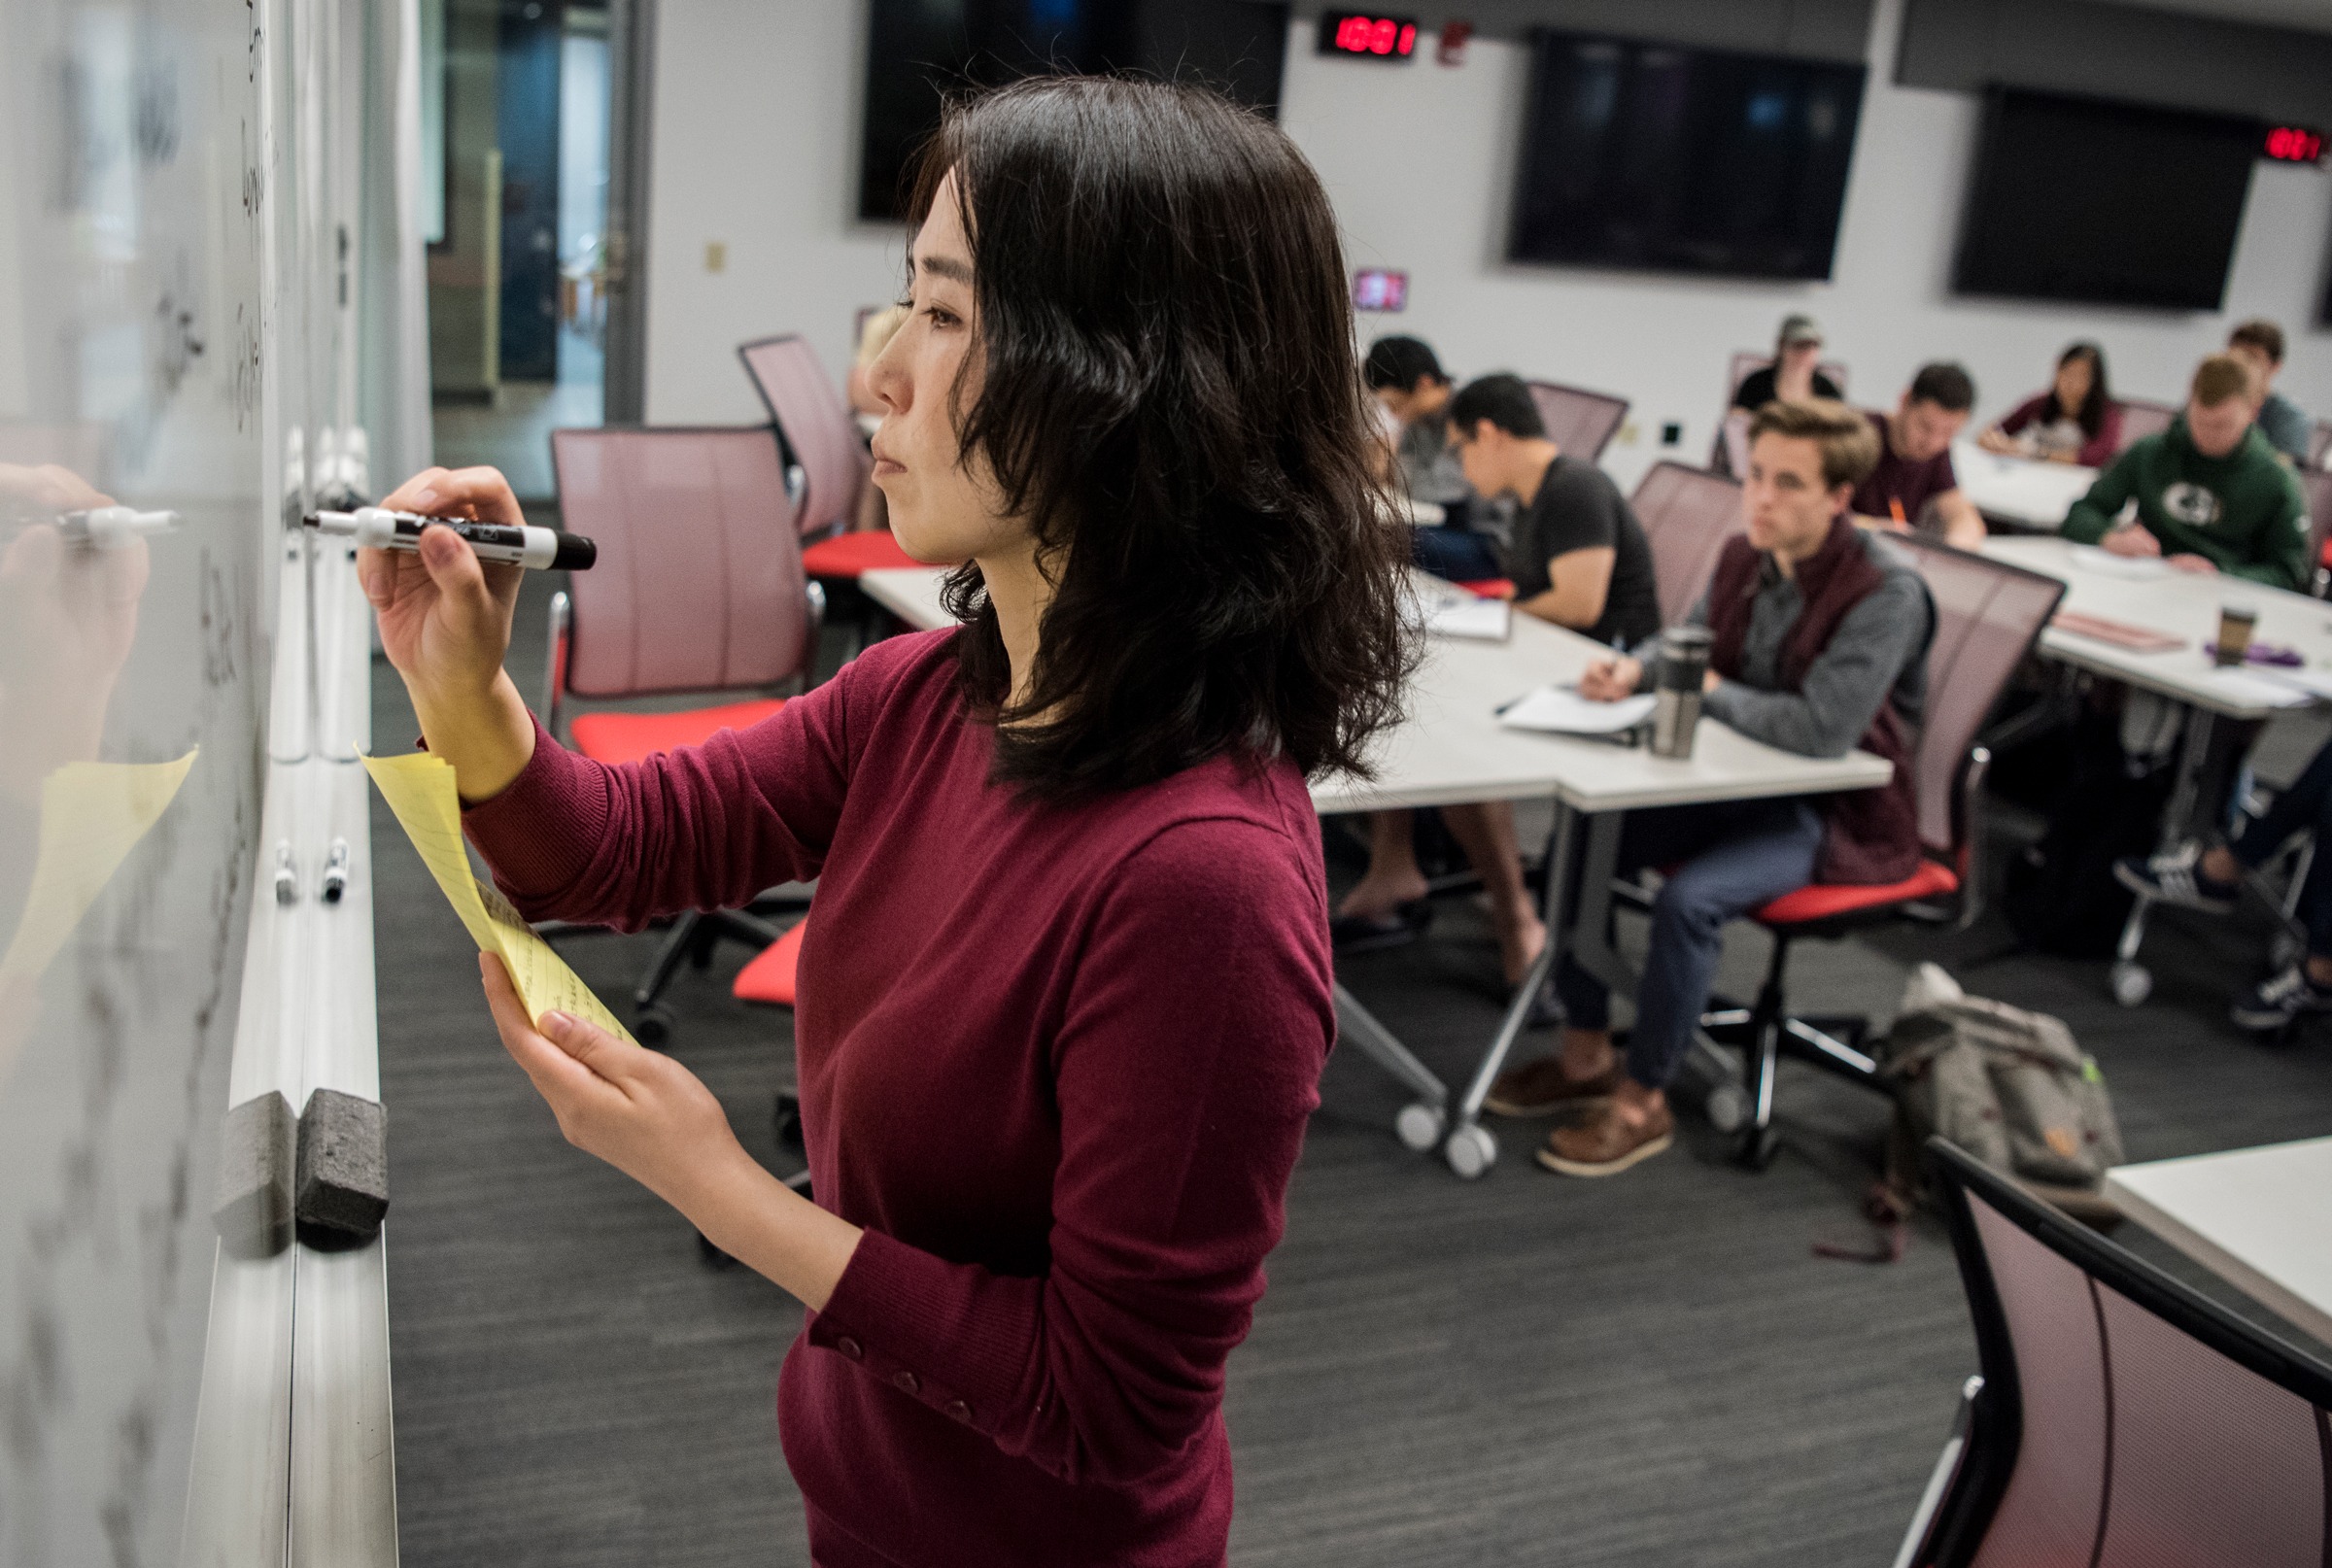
<point x="2261" y="1219"/>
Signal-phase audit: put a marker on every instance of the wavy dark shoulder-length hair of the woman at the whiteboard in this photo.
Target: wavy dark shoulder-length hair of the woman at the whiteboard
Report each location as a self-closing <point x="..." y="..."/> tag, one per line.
<point x="1169" y="398"/>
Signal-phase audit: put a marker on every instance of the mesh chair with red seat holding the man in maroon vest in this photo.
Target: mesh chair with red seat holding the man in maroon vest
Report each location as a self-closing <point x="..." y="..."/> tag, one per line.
<point x="1988" y="617"/>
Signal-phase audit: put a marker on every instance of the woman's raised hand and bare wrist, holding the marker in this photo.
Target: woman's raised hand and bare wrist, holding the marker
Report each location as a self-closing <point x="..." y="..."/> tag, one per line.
<point x="447" y="626"/>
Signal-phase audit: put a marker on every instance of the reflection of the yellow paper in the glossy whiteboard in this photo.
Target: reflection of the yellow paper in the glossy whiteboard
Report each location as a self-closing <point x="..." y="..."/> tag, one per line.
<point x="92" y="815"/>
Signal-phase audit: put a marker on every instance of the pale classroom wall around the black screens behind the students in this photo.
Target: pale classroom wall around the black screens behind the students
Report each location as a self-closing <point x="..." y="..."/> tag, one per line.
<point x="757" y="139"/>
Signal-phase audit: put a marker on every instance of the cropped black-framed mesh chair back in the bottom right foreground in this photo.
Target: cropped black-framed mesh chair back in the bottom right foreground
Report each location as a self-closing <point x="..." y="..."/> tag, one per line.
<point x="2121" y="1420"/>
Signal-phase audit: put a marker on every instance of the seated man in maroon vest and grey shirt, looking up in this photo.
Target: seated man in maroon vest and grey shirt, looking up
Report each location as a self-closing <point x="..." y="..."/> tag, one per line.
<point x="1822" y="636"/>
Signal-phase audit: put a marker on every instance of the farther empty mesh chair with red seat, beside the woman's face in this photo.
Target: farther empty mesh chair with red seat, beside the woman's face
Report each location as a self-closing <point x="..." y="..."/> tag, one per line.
<point x="817" y="430"/>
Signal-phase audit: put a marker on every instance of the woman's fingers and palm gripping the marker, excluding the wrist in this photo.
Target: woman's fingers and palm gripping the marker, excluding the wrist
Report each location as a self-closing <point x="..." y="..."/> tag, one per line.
<point x="444" y="615"/>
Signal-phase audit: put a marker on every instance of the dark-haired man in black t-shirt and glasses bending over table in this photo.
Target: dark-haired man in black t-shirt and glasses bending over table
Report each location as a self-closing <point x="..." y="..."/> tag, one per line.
<point x="1580" y="559"/>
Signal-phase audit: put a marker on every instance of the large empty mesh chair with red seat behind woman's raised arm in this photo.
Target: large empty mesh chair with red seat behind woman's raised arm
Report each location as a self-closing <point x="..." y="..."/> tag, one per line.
<point x="698" y="589"/>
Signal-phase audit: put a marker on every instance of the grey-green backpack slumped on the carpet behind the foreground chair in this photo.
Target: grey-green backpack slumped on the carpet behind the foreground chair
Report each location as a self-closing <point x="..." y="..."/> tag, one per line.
<point x="2009" y="1086"/>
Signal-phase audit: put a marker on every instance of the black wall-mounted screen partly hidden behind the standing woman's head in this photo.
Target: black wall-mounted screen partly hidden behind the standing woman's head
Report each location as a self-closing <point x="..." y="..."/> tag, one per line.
<point x="925" y="48"/>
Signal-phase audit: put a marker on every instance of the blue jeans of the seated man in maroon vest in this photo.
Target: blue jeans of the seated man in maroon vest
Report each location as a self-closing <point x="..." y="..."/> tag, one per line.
<point x="1729" y="860"/>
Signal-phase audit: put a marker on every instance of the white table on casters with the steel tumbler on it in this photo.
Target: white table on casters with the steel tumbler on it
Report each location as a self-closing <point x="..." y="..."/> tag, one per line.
<point x="1452" y="750"/>
